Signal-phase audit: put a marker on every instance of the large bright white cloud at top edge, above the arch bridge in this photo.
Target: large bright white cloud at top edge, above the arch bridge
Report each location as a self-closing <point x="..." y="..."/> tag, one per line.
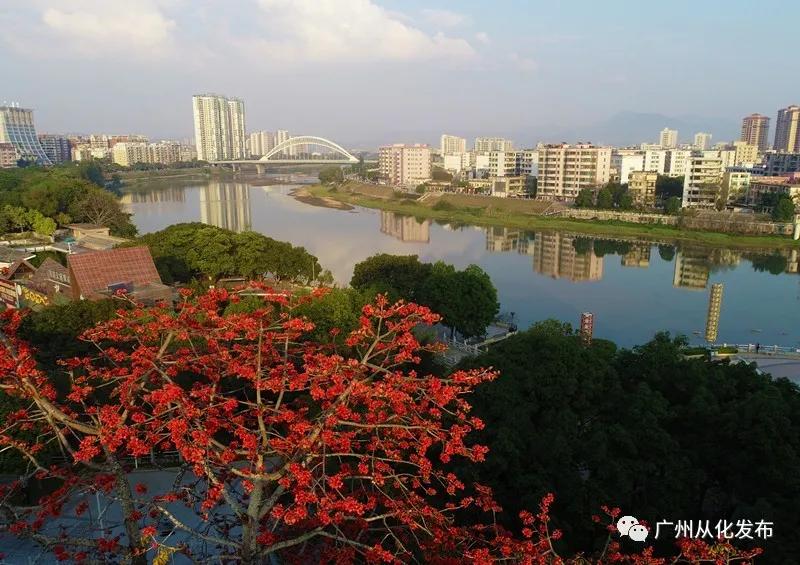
<point x="345" y="30"/>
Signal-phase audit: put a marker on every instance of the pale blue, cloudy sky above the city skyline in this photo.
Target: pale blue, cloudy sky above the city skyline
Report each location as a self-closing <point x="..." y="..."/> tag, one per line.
<point x="367" y="72"/>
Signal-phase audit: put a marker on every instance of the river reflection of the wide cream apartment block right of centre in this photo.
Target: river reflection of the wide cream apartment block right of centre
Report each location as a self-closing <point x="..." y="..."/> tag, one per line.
<point x="556" y="256"/>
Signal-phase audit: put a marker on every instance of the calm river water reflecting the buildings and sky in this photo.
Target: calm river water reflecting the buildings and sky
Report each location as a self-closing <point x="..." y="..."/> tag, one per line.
<point x="634" y="288"/>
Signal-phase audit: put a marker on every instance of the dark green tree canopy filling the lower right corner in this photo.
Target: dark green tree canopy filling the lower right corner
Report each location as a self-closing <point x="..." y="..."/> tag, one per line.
<point x="658" y="435"/>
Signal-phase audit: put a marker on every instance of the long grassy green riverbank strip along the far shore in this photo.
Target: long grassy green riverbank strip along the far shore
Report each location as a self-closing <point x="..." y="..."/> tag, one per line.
<point x="489" y="217"/>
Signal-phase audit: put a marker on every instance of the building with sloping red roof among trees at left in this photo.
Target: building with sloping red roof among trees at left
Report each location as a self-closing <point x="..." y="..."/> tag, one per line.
<point x="99" y="274"/>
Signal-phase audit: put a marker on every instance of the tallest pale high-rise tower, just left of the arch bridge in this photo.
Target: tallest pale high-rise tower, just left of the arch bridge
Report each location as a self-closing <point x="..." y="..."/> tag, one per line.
<point x="218" y="127"/>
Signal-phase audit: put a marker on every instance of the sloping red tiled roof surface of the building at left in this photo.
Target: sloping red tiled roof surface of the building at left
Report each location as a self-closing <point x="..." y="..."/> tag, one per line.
<point x="95" y="271"/>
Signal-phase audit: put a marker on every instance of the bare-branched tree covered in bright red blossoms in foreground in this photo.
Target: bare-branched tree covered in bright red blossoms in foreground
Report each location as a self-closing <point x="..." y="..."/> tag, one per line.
<point x="273" y="445"/>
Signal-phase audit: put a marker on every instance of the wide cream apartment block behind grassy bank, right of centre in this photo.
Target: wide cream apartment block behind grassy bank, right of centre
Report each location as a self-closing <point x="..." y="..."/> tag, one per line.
<point x="566" y="169"/>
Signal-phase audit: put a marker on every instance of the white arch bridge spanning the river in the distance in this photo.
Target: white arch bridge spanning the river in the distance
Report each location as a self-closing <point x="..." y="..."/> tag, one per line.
<point x="335" y="154"/>
